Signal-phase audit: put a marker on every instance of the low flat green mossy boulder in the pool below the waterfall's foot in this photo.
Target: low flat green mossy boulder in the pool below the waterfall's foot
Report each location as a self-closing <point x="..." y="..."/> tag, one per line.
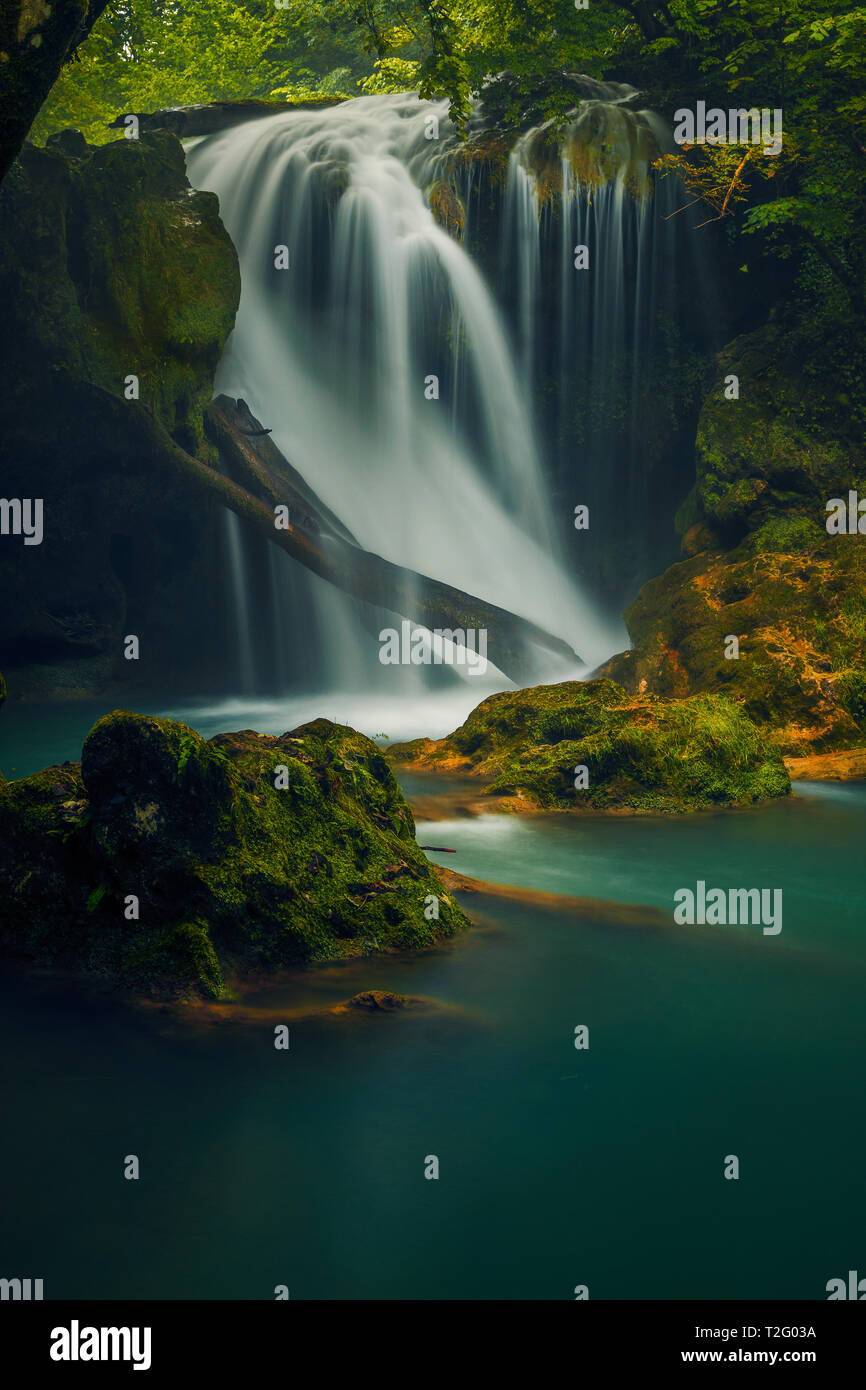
<point x="642" y="753"/>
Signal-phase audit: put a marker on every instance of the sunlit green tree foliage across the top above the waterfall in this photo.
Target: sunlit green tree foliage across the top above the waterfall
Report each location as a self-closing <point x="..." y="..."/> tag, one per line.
<point x="790" y="55"/>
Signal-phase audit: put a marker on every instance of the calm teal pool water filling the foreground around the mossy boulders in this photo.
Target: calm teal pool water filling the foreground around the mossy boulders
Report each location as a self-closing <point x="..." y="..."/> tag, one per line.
<point x="307" y="1168"/>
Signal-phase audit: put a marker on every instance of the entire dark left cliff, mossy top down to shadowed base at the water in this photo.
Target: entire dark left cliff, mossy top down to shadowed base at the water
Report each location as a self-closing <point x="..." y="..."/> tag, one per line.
<point x="112" y="268"/>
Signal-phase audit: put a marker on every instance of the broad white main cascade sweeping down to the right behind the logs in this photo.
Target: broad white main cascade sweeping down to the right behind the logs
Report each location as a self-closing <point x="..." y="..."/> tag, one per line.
<point x="334" y="355"/>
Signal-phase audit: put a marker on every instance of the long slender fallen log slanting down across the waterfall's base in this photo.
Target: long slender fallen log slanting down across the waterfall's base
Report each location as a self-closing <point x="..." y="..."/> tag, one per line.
<point x="359" y="573"/>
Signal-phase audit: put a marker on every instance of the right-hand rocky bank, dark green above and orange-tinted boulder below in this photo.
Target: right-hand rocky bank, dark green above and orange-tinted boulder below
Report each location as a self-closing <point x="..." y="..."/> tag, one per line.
<point x="761" y="565"/>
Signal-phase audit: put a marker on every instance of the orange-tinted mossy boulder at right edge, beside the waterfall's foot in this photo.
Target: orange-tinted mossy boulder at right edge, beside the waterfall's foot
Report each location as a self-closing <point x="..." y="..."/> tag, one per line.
<point x="796" y="600"/>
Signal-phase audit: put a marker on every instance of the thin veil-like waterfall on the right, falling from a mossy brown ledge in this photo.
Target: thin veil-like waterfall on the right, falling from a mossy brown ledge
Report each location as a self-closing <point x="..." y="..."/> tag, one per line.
<point x="604" y="347"/>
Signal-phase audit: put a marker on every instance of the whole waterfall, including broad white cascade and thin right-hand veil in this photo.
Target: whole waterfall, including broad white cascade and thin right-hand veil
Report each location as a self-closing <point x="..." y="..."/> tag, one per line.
<point x="401" y="387"/>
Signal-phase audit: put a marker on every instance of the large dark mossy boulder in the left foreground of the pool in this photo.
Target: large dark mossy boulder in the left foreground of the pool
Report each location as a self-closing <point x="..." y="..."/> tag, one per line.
<point x="244" y="853"/>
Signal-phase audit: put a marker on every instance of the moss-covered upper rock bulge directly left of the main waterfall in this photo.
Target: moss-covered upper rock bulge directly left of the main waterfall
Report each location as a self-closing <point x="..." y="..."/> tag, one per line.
<point x="113" y="268"/>
